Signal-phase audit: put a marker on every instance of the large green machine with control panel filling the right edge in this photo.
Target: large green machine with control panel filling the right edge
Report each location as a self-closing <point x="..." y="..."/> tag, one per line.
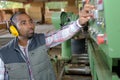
<point x="104" y="41"/>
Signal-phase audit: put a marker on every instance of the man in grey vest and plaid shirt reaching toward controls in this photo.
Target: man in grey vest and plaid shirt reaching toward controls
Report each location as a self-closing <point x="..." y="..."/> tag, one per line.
<point x="25" y="57"/>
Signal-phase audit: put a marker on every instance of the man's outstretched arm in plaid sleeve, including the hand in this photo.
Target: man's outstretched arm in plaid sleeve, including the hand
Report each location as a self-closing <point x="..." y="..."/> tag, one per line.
<point x="69" y="30"/>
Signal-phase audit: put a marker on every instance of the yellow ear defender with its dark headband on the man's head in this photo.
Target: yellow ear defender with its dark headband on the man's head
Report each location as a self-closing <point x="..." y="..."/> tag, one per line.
<point x="12" y="28"/>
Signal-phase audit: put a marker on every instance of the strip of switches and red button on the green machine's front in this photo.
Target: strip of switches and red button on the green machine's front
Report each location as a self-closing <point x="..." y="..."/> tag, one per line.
<point x="97" y="23"/>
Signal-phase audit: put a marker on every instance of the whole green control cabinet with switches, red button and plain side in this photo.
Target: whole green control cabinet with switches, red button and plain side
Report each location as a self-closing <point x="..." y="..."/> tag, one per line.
<point x="104" y="27"/>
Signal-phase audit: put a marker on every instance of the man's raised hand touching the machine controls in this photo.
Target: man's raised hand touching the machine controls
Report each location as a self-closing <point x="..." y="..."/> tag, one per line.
<point x="85" y="15"/>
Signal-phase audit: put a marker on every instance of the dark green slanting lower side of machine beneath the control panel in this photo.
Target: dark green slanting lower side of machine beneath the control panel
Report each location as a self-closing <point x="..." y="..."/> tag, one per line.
<point x="99" y="69"/>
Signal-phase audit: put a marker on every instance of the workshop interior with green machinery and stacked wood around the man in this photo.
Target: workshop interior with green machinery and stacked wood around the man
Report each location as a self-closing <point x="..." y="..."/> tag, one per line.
<point x="91" y="54"/>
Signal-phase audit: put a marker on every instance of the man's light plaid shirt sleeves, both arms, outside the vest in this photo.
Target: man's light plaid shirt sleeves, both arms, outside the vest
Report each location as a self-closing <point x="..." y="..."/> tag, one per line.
<point x="53" y="39"/>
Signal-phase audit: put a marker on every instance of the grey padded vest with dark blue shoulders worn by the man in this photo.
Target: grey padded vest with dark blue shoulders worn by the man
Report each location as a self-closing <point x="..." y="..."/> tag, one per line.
<point x="15" y="63"/>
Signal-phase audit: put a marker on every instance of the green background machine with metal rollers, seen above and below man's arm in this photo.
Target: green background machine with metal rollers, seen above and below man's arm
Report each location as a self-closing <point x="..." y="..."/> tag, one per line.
<point x="73" y="52"/>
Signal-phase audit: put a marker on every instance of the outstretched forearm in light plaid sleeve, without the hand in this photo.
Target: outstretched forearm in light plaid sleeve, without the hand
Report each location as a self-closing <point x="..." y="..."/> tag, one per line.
<point x="62" y="35"/>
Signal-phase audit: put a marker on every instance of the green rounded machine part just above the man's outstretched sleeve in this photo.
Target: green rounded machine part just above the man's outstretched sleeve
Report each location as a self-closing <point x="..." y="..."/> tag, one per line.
<point x="60" y="19"/>
